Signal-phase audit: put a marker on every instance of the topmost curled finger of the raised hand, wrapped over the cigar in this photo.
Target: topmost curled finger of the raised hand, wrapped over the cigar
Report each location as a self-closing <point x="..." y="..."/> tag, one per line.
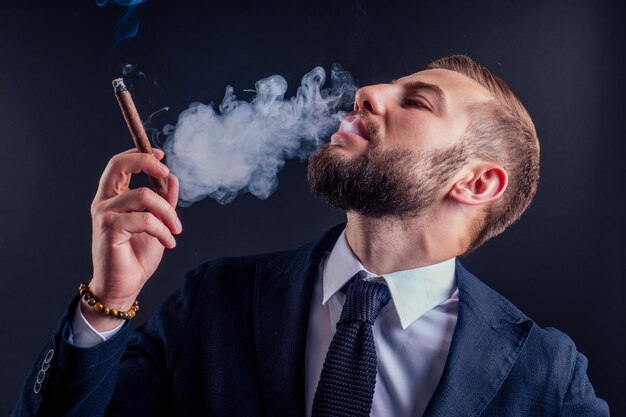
<point x="116" y="177"/>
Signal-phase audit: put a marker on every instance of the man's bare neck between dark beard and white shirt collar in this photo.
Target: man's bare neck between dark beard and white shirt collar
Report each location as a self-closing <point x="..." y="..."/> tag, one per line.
<point x="385" y="245"/>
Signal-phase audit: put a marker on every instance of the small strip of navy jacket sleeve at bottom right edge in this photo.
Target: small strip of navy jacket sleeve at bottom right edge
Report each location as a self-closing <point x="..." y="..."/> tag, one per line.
<point x="580" y="399"/>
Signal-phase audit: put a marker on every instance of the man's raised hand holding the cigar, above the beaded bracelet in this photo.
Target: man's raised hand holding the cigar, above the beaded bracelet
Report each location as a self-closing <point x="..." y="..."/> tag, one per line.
<point x="131" y="229"/>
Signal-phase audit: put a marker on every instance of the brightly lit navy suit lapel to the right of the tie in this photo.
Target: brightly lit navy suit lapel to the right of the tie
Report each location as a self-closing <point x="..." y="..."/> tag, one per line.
<point x="487" y="339"/>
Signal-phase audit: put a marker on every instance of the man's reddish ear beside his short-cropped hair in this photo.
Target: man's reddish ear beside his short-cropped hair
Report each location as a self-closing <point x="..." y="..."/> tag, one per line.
<point x="483" y="182"/>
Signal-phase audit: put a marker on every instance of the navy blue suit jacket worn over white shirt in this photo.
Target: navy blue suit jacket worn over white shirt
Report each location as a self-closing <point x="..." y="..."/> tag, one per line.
<point x="231" y="342"/>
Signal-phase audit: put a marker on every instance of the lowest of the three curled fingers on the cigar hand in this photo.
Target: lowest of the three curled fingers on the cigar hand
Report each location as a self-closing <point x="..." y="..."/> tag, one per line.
<point x="122" y="226"/>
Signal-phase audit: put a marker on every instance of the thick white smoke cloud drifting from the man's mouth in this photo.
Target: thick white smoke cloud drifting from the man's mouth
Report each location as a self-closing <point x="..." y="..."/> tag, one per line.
<point x="243" y="145"/>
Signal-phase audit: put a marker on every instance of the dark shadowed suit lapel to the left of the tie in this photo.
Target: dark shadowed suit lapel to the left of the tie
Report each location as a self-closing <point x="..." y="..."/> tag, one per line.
<point x="283" y="293"/>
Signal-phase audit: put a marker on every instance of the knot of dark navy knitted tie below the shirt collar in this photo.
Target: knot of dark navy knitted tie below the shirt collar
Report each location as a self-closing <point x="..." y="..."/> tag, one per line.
<point x="364" y="299"/>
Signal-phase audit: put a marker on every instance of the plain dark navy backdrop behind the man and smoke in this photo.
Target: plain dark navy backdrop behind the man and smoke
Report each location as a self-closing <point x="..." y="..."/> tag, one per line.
<point x="60" y="124"/>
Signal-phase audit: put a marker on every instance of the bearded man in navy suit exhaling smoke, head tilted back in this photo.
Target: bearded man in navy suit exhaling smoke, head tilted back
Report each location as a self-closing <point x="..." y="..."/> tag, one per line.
<point x="427" y="168"/>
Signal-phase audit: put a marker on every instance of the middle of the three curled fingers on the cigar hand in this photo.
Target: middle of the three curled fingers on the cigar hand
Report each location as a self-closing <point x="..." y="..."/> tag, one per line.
<point x="139" y="200"/>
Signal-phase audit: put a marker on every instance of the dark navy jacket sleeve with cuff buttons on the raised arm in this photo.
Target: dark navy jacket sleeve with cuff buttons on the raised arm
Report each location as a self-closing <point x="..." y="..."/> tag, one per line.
<point x="112" y="378"/>
